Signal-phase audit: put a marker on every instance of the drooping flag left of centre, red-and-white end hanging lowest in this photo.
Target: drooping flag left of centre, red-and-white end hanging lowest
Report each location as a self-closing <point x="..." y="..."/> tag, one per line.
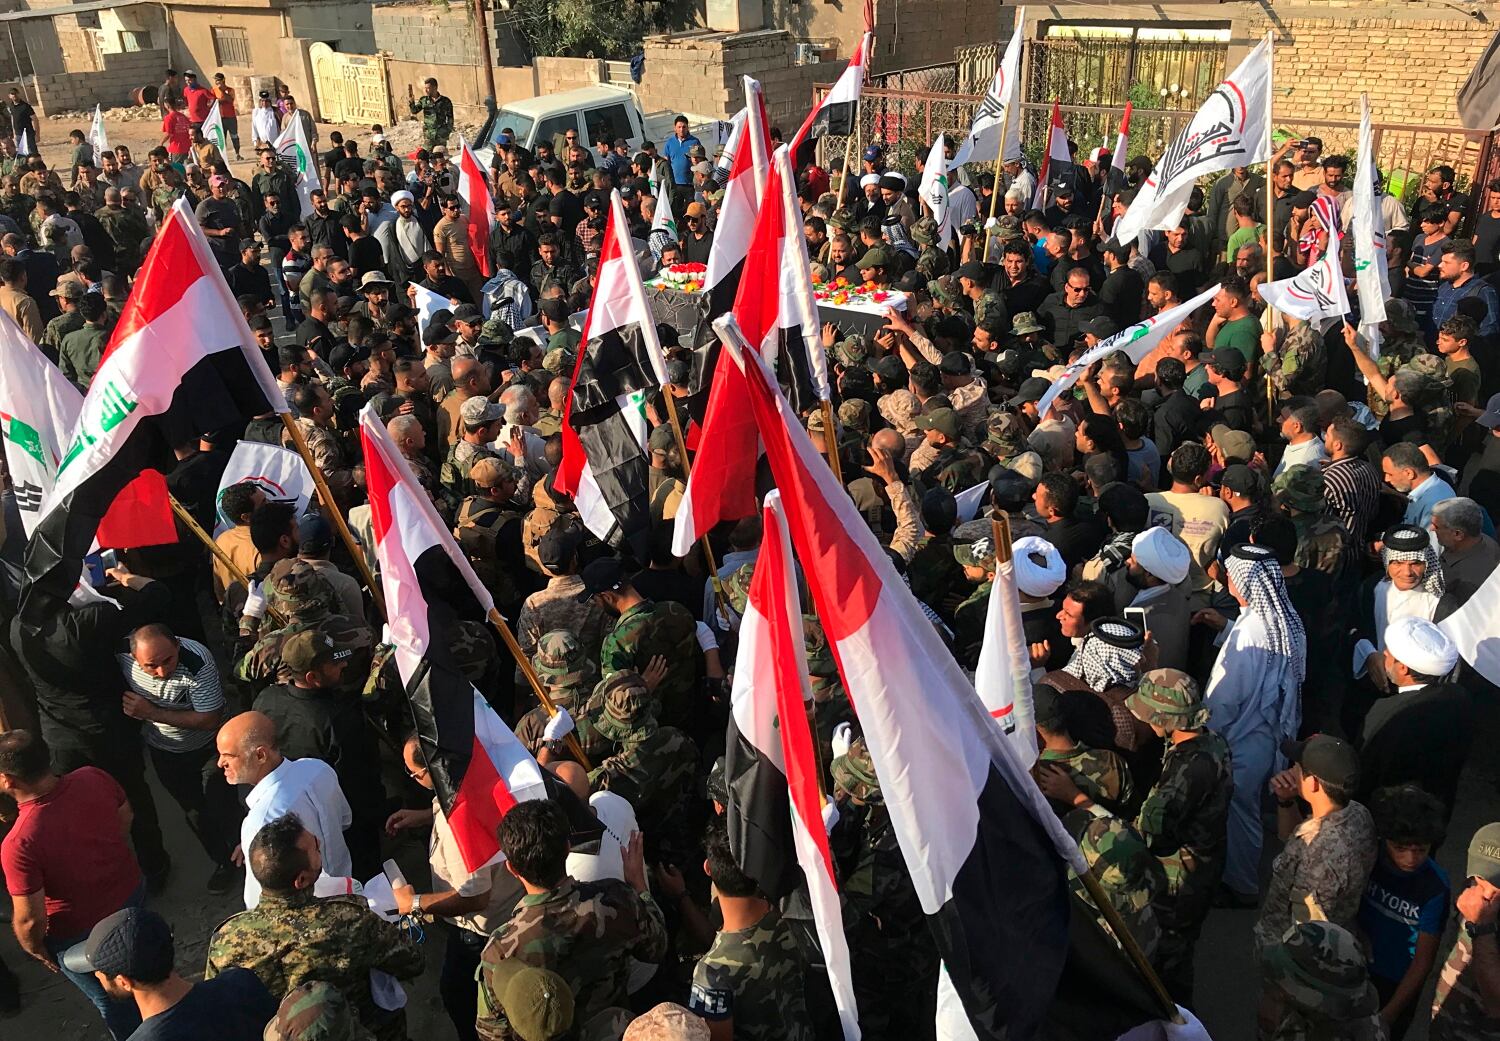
<point x="479" y="769"/>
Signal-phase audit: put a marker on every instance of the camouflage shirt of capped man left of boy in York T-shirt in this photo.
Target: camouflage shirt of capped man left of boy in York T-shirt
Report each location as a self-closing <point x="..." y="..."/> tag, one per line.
<point x="1319" y="874"/>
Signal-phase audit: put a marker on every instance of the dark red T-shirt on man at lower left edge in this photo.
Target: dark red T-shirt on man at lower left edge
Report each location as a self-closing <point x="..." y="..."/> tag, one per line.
<point x="70" y="847"/>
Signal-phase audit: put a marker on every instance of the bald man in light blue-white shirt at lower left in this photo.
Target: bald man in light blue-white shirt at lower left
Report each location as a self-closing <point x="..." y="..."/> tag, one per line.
<point x="248" y="755"/>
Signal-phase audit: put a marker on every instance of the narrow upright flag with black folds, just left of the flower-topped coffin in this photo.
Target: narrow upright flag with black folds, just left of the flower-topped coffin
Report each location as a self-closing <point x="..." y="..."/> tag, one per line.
<point x="605" y="463"/>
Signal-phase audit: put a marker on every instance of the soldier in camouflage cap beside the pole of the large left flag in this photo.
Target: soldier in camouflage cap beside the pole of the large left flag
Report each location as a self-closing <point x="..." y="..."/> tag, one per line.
<point x="307" y="601"/>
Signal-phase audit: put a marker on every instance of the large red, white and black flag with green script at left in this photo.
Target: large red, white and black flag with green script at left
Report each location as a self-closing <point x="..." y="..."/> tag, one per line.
<point x="181" y="362"/>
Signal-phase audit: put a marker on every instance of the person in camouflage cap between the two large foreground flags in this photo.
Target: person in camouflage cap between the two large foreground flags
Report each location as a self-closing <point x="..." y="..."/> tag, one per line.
<point x="892" y="952"/>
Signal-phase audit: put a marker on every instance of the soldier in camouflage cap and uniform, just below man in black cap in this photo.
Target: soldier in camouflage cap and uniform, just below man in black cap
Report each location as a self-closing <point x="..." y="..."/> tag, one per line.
<point x="649" y="766"/>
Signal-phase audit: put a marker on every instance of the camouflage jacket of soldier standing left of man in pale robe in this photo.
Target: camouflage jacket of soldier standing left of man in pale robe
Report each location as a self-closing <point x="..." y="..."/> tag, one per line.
<point x="1186" y="815"/>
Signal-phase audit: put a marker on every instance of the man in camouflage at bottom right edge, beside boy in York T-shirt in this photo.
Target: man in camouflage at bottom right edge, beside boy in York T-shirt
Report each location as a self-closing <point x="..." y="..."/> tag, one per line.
<point x="1468" y="1001"/>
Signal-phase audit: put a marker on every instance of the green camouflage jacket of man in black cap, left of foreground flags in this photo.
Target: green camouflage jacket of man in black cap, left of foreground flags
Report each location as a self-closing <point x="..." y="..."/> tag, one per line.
<point x="643" y="634"/>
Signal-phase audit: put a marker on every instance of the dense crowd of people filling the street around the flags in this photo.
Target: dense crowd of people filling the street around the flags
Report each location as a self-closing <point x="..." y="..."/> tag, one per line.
<point x="1232" y="562"/>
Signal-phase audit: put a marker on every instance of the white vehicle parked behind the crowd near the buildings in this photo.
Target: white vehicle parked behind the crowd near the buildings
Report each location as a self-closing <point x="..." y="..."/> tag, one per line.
<point x="595" y="113"/>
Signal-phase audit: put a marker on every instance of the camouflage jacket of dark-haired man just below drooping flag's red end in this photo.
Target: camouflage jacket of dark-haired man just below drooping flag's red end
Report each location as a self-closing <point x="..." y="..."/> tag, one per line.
<point x="581" y="931"/>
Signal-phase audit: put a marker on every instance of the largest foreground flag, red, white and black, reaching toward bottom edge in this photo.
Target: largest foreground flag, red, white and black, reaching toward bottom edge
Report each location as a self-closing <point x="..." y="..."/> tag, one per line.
<point x="985" y="853"/>
